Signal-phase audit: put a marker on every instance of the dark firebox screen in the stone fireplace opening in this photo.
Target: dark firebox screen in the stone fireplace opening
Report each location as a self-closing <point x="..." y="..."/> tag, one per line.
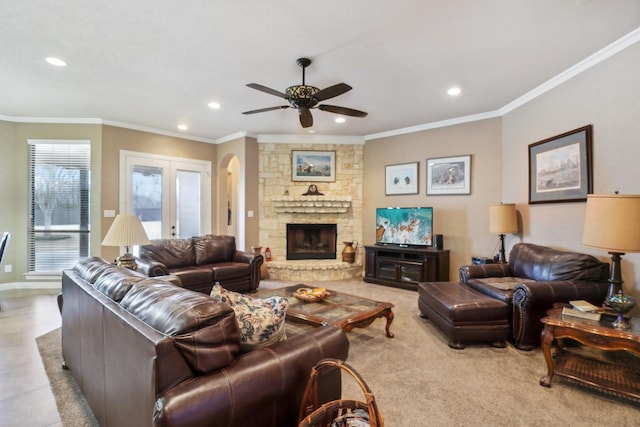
<point x="311" y="241"/>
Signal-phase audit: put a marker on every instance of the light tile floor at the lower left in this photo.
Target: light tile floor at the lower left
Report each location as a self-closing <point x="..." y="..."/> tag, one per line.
<point x="25" y="397"/>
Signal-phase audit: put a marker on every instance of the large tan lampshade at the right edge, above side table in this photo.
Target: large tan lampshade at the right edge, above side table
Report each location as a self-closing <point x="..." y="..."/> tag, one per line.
<point x="612" y="222"/>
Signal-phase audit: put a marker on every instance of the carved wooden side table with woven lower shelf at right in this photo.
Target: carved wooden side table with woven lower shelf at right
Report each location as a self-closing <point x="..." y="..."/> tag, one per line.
<point x="593" y="365"/>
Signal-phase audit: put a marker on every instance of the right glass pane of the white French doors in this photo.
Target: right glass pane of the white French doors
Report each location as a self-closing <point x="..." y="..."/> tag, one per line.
<point x="188" y="203"/>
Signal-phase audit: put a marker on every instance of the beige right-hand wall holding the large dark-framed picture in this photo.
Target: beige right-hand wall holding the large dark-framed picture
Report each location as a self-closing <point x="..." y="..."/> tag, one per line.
<point x="606" y="96"/>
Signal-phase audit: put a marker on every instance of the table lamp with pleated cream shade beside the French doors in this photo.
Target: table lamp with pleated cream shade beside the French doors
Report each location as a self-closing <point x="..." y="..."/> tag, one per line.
<point x="127" y="231"/>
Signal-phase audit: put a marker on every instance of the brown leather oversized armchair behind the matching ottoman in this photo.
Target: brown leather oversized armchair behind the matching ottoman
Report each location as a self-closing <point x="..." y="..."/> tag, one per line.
<point x="533" y="280"/>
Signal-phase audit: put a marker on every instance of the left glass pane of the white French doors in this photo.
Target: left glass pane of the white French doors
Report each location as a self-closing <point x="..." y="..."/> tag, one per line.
<point x="147" y="198"/>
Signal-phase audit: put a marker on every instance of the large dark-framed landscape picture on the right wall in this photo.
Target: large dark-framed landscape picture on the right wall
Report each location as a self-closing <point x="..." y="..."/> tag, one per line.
<point x="560" y="167"/>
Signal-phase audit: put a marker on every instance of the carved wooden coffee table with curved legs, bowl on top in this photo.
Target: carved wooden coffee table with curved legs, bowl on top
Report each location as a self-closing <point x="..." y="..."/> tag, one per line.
<point x="339" y="309"/>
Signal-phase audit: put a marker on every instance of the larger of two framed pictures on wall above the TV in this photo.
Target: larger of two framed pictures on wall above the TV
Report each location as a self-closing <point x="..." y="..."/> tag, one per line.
<point x="449" y="175"/>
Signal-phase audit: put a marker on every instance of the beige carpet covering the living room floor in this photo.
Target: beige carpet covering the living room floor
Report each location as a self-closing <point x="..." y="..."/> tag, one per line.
<point x="418" y="380"/>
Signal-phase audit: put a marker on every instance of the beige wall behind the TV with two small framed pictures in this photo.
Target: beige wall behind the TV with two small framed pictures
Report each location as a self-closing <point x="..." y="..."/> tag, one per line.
<point x="462" y="219"/>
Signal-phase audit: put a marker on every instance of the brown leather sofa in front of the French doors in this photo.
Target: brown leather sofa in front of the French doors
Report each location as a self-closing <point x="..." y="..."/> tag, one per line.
<point x="202" y="261"/>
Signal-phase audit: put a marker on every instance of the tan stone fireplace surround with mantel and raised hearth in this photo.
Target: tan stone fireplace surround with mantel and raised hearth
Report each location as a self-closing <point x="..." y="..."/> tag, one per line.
<point x="283" y="201"/>
